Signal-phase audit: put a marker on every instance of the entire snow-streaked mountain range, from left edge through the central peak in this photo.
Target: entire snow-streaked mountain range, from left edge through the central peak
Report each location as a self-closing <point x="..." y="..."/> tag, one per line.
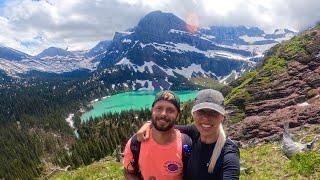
<point x="158" y="53"/>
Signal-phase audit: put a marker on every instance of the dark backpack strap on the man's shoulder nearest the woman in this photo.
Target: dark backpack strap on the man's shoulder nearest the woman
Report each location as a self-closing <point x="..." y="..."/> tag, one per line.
<point x="186" y="152"/>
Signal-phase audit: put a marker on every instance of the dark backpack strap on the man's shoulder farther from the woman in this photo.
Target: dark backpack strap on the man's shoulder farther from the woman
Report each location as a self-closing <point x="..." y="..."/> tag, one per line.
<point x="135" y="149"/>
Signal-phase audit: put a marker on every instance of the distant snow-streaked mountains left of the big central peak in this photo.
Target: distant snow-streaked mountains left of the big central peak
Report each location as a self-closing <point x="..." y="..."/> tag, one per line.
<point x="52" y="62"/>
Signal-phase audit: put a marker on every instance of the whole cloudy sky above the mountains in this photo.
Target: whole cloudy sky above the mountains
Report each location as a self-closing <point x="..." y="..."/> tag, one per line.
<point x="34" y="25"/>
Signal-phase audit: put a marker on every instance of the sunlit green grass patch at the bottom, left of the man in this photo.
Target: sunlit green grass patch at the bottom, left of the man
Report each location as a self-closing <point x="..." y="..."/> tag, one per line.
<point x="104" y="169"/>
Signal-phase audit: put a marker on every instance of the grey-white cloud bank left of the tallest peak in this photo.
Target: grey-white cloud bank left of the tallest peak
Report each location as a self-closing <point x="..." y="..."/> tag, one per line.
<point x="75" y="24"/>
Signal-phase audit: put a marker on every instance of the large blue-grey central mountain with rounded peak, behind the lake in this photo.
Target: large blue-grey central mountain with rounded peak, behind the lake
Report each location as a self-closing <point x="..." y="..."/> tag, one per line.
<point x="157" y="58"/>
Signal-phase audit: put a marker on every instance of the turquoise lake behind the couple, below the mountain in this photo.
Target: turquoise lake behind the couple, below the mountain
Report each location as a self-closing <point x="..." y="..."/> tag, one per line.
<point x="130" y="100"/>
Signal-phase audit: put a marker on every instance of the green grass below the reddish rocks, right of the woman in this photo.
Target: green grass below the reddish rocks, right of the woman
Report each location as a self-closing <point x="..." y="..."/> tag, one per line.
<point x="268" y="162"/>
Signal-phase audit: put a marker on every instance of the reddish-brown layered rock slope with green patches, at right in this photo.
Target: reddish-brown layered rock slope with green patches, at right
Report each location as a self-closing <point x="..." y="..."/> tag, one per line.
<point x="285" y="88"/>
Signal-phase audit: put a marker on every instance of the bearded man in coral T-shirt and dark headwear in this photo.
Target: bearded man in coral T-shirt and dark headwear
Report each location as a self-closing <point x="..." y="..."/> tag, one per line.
<point x="160" y="156"/>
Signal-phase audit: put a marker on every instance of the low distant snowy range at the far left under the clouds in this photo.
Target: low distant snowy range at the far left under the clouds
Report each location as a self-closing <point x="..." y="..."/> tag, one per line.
<point x="51" y="60"/>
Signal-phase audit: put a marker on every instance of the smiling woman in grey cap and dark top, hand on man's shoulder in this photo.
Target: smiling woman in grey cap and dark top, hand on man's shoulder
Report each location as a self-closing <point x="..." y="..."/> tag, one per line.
<point x="213" y="155"/>
